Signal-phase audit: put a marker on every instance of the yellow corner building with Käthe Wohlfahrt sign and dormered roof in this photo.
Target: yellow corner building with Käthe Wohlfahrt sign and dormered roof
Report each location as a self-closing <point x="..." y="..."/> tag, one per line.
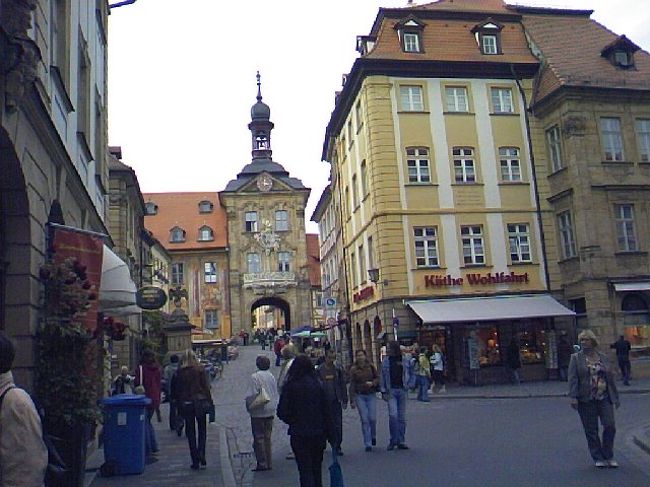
<point x="441" y="219"/>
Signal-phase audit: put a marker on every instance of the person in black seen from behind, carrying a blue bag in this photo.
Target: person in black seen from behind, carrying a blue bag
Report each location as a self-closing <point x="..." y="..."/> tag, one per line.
<point x="303" y="406"/>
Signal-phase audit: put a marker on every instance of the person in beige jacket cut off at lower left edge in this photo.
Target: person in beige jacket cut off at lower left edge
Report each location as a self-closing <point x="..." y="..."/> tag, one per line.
<point x="23" y="454"/>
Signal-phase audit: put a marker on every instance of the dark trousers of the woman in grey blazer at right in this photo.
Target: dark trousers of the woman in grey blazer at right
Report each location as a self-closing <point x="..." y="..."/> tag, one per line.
<point x="589" y="412"/>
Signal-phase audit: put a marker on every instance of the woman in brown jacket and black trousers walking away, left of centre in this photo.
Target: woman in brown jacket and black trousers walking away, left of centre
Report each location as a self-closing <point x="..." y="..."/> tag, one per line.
<point x="192" y="390"/>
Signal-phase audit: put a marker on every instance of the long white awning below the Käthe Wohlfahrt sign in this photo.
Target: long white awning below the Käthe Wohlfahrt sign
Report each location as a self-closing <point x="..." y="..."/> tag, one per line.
<point x="488" y="308"/>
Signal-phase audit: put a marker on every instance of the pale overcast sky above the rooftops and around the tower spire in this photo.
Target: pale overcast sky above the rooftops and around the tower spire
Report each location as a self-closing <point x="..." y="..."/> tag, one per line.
<point x="182" y="81"/>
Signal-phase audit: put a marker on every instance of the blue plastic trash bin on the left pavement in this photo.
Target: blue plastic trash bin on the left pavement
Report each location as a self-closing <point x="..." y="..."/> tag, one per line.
<point x="124" y="417"/>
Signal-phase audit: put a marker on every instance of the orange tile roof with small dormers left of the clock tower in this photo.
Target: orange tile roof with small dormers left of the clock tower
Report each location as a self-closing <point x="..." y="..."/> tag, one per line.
<point x="182" y="210"/>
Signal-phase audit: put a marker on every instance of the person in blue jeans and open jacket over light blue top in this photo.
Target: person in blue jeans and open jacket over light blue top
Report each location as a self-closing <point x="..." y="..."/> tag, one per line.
<point x="393" y="380"/>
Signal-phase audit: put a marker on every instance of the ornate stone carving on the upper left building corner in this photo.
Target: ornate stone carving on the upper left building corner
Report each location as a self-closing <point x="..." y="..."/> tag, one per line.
<point x="20" y="56"/>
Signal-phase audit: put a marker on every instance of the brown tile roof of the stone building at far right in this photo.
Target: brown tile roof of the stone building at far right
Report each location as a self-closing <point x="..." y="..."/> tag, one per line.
<point x="571" y="46"/>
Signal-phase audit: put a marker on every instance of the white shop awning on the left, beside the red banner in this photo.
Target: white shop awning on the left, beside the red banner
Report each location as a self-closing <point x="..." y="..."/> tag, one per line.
<point x="116" y="288"/>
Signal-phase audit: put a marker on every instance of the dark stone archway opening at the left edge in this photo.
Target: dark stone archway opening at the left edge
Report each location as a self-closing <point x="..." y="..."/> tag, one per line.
<point x="16" y="309"/>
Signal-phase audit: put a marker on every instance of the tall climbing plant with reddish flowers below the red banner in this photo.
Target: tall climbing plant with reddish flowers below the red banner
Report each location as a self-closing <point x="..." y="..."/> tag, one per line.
<point x="69" y="354"/>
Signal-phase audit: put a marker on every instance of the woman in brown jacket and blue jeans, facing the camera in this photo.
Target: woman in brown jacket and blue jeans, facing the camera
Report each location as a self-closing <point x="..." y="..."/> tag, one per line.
<point x="364" y="384"/>
